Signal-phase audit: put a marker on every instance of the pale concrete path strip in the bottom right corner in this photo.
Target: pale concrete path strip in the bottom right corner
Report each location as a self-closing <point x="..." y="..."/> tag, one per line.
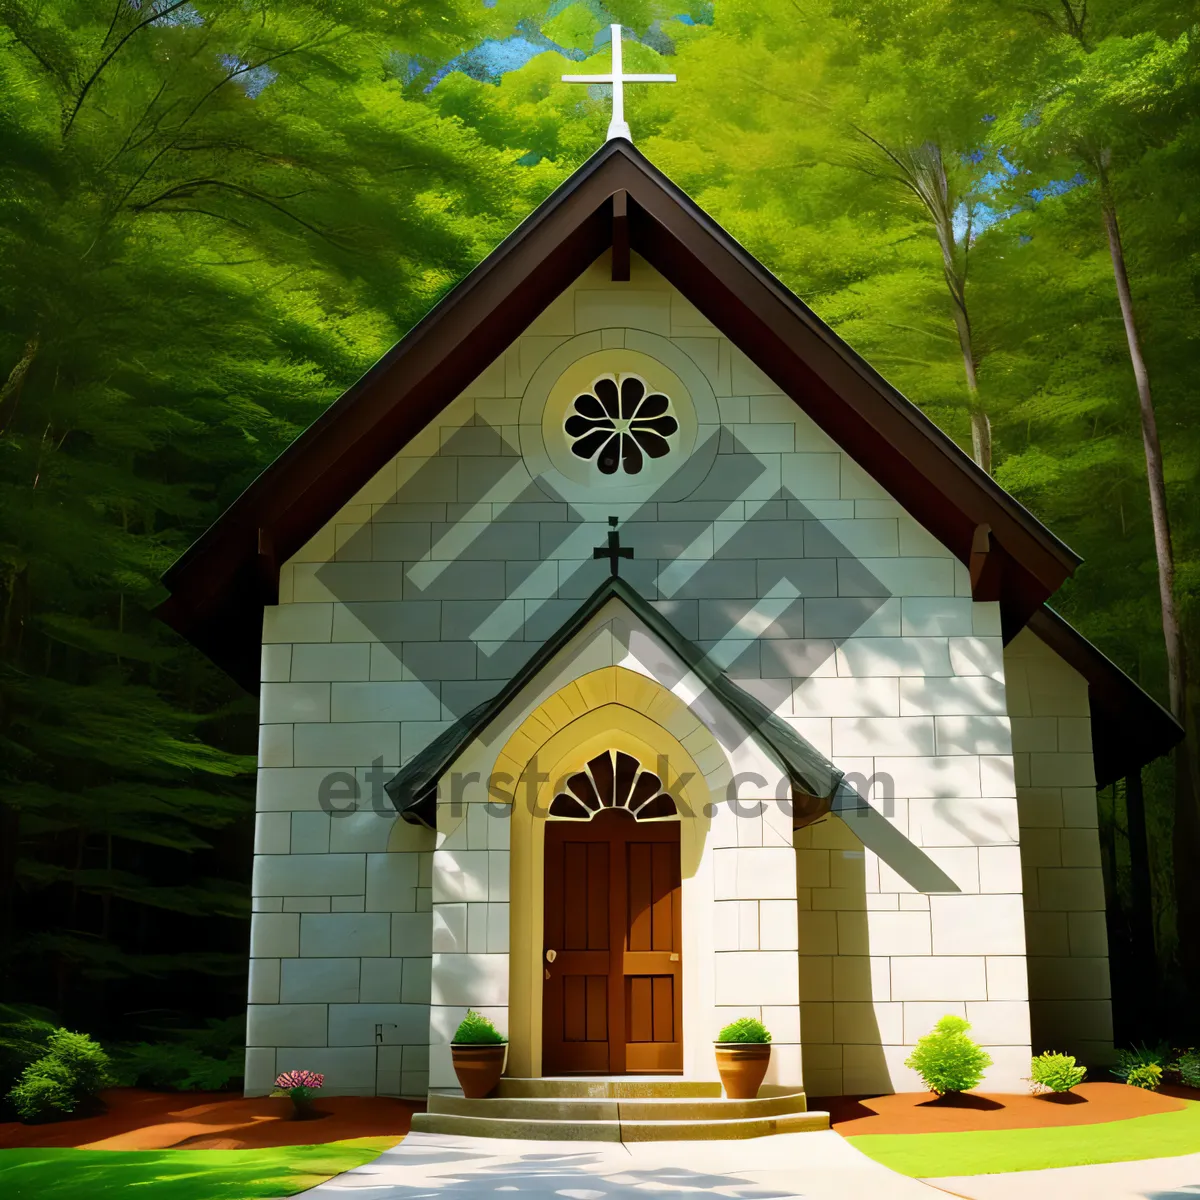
<point x="1151" y="1179"/>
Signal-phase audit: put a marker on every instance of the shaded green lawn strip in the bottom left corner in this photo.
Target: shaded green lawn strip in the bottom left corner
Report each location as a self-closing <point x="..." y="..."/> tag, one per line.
<point x="179" y="1174"/>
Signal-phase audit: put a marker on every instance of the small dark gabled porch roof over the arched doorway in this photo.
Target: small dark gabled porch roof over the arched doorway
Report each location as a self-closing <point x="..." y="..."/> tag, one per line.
<point x="814" y="779"/>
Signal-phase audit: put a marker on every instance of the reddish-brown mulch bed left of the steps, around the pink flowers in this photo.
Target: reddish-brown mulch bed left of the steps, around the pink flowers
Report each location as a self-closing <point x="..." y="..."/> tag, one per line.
<point x="141" y="1120"/>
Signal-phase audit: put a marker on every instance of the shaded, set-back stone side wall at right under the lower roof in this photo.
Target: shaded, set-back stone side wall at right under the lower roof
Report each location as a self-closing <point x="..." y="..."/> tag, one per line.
<point x="1065" y="910"/>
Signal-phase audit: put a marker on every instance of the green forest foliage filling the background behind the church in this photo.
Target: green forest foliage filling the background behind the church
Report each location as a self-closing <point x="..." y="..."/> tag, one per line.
<point x="213" y="219"/>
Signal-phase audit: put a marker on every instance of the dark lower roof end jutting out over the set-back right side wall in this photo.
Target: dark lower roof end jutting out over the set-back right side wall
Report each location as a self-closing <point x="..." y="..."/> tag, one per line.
<point x="1130" y="728"/>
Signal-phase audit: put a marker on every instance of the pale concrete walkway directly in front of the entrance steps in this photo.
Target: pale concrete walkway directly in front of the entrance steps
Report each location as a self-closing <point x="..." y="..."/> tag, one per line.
<point x="819" y="1166"/>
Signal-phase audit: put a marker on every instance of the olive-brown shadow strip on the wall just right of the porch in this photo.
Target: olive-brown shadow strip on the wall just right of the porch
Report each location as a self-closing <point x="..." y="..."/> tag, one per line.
<point x="842" y="1048"/>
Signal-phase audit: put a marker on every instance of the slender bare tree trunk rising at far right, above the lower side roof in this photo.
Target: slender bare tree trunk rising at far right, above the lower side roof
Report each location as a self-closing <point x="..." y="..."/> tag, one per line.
<point x="1177" y="671"/>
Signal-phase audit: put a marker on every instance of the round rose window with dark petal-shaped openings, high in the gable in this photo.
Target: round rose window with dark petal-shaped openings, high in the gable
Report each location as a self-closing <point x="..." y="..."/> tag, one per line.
<point x="621" y="427"/>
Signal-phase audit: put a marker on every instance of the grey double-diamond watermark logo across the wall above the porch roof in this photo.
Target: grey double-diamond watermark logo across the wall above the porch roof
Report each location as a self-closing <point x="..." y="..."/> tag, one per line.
<point x="470" y="565"/>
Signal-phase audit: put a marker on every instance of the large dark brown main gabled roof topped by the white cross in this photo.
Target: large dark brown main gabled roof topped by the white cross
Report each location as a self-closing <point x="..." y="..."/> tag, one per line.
<point x="220" y="585"/>
